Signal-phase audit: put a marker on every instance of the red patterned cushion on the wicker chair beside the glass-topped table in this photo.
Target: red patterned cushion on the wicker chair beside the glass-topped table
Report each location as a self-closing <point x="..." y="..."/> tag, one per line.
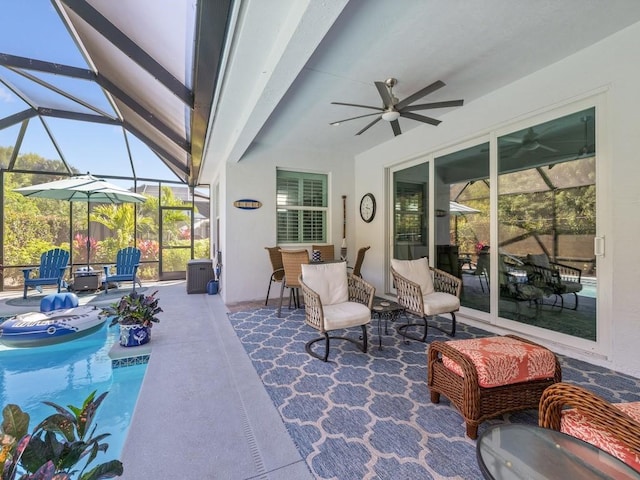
<point x="577" y="425"/>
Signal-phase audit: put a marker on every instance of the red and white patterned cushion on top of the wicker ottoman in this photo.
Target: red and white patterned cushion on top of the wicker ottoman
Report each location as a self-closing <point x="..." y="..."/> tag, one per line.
<point x="503" y="360"/>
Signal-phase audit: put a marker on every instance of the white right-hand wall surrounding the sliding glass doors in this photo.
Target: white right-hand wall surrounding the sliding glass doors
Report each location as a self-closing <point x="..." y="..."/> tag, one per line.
<point x="609" y="68"/>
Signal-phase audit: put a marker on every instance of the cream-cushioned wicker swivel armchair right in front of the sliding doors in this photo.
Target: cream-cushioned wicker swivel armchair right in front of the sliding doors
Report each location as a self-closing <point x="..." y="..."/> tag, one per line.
<point x="423" y="291"/>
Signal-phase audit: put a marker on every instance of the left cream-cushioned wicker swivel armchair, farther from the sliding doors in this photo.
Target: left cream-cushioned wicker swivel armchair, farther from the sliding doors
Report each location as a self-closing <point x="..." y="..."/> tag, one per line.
<point x="335" y="300"/>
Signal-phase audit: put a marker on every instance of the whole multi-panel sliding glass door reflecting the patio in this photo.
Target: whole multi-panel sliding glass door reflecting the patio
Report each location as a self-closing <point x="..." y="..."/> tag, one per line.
<point x="536" y="264"/>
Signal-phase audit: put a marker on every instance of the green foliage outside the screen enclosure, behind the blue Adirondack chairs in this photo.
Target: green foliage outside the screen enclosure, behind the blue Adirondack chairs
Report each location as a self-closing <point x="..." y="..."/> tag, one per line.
<point x="33" y="225"/>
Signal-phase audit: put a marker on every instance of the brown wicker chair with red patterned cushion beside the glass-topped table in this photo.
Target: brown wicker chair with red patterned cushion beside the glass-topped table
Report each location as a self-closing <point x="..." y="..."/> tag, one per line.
<point x="576" y="411"/>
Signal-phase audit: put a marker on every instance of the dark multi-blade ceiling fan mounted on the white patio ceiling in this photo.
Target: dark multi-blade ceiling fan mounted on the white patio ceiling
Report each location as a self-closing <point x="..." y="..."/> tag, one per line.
<point x="393" y="108"/>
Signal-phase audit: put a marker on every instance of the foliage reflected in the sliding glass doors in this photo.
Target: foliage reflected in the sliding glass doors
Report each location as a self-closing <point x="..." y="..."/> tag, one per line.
<point x="534" y="206"/>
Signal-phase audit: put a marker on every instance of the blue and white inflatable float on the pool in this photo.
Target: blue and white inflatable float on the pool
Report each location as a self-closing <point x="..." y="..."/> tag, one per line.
<point x="36" y="329"/>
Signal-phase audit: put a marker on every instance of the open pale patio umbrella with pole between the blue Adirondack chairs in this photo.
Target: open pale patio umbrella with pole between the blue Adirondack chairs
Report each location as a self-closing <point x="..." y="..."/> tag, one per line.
<point x="82" y="188"/>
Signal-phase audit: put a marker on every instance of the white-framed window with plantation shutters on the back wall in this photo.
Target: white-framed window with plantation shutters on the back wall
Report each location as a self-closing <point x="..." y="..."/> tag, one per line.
<point x="301" y="207"/>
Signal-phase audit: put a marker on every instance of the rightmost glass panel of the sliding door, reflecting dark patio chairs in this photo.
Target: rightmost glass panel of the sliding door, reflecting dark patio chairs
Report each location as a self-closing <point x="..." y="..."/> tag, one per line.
<point x="547" y="225"/>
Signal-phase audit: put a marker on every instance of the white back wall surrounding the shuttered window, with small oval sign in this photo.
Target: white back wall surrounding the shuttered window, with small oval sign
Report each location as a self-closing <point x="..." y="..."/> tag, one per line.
<point x="247" y="232"/>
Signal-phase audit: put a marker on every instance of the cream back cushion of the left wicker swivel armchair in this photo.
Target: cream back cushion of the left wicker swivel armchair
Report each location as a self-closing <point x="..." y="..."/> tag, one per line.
<point x="329" y="280"/>
